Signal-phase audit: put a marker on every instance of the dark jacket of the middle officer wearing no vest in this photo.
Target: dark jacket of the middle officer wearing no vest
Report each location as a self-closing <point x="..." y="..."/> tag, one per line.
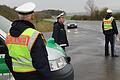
<point x="59" y="34"/>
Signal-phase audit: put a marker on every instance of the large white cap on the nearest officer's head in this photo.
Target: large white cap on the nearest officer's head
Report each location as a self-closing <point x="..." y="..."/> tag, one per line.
<point x="26" y="8"/>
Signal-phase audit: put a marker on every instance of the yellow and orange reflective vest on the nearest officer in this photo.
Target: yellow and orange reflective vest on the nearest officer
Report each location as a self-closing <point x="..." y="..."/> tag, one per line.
<point x="19" y="50"/>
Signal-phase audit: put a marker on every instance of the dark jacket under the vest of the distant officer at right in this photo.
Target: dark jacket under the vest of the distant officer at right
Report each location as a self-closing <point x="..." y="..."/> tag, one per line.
<point x="112" y="31"/>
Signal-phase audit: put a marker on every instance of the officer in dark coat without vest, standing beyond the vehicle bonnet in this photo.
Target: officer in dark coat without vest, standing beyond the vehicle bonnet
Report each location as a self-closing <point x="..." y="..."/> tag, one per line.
<point x="59" y="32"/>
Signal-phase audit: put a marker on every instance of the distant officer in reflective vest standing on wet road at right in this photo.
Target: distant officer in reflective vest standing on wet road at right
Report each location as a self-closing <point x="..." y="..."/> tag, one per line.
<point x="110" y="31"/>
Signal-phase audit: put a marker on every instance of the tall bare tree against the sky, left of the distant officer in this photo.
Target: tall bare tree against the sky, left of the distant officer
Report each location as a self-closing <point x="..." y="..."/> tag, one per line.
<point x="91" y="8"/>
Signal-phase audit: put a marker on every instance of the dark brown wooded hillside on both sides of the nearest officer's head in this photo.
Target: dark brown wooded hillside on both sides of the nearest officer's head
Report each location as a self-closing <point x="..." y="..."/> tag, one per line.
<point x="11" y="14"/>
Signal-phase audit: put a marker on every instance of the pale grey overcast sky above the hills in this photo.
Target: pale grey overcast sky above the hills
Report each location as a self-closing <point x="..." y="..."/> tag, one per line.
<point x="66" y="5"/>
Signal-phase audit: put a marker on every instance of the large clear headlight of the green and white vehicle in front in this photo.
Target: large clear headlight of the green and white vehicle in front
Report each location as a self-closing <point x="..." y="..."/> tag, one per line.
<point x="57" y="64"/>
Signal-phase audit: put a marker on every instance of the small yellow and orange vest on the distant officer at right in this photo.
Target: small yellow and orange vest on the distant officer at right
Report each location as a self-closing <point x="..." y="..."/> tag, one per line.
<point x="108" y="23"/>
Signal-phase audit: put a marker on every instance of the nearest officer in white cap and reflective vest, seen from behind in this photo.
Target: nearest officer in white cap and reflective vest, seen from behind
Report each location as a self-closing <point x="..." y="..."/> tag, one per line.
<point x="26" y="47"/>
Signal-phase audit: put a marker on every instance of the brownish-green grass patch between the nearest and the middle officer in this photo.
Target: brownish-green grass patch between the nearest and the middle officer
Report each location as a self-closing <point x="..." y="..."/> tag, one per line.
<point x="43" y="25"/>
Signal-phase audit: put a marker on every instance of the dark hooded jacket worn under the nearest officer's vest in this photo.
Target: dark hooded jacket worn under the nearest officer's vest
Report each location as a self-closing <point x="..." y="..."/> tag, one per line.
<point x="38" y="54"/>
